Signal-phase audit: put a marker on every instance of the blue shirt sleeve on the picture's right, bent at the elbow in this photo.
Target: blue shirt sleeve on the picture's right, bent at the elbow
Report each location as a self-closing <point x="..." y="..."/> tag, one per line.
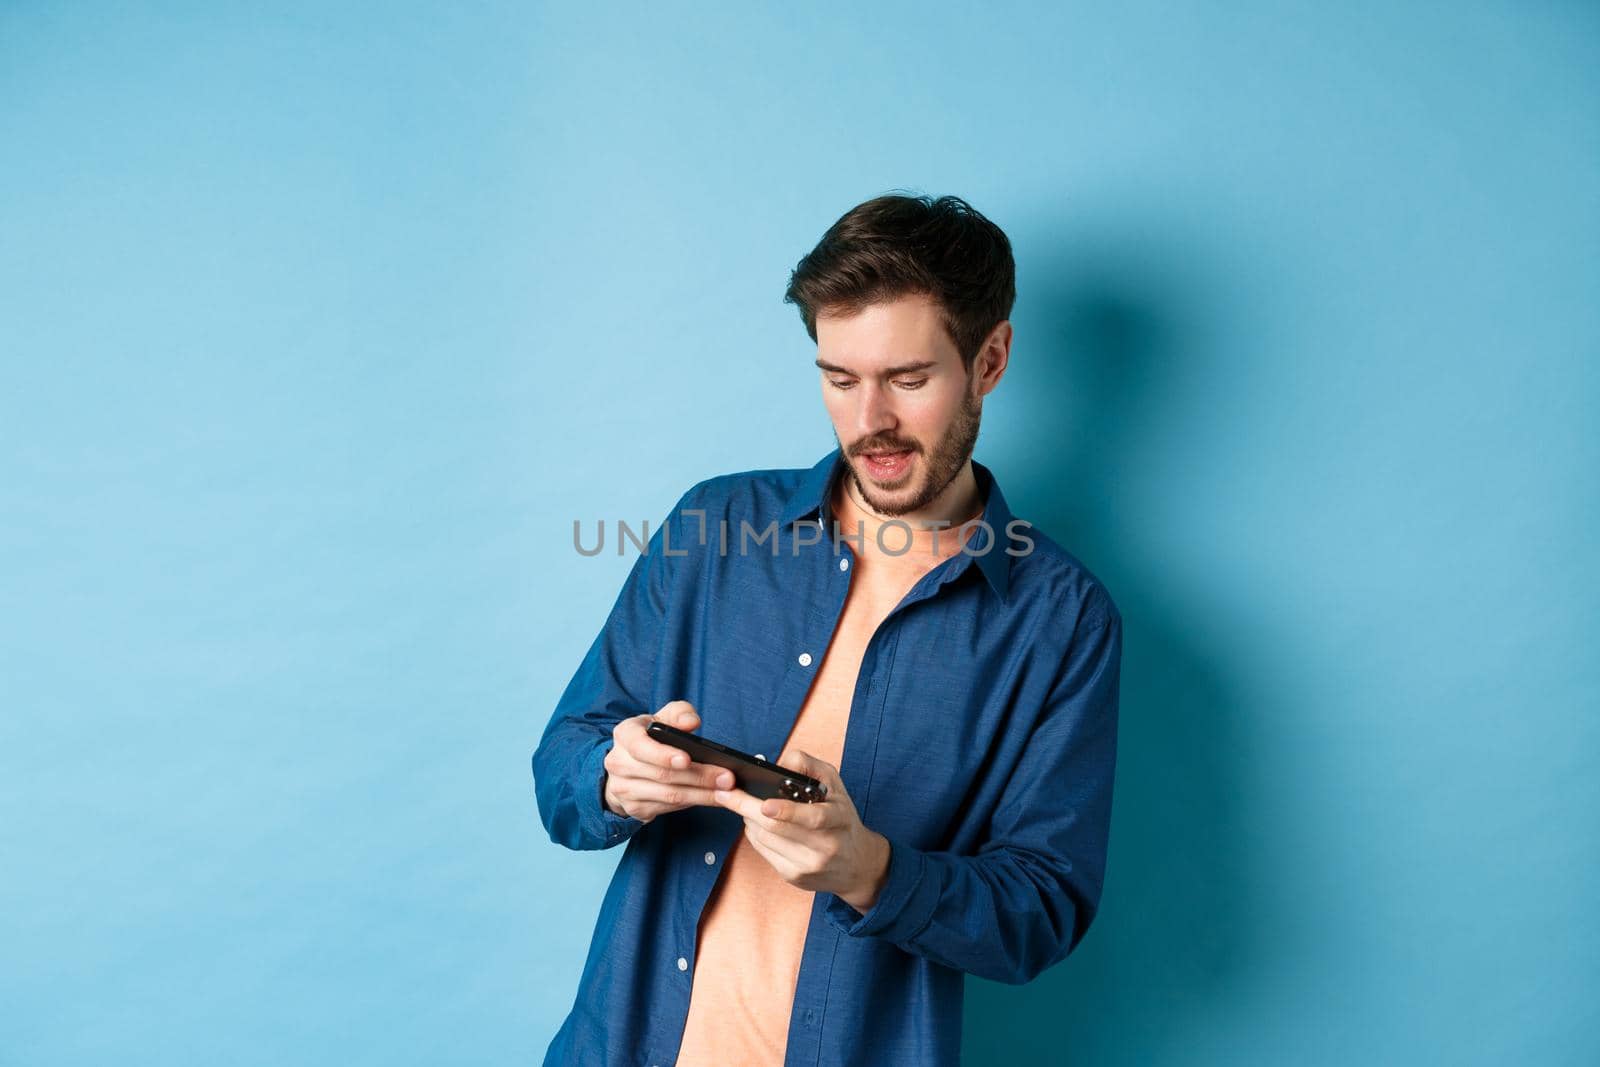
<point x="1026" y="900"/>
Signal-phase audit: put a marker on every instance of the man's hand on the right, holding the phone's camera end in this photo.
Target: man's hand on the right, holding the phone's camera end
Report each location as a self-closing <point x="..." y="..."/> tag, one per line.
<point x="818" y="847"/>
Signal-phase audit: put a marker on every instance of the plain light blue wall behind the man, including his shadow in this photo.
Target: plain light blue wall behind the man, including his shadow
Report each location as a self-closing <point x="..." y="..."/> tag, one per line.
<point x="322" y="327"/>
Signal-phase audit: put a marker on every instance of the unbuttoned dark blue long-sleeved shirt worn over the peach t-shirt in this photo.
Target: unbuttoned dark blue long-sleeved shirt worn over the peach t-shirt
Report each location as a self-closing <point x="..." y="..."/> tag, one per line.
<point x="982" y="743"/>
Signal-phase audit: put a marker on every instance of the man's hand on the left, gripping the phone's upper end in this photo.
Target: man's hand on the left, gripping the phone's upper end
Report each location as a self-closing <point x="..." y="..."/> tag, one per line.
<point x="647" y="778"/>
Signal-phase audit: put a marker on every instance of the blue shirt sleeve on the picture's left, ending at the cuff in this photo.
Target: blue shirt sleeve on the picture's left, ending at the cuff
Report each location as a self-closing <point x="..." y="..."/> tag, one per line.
<point x="612" y="684"/>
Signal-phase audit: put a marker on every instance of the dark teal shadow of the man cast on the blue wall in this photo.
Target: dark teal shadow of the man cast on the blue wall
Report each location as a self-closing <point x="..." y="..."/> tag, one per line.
<point x="1180" y="922"/>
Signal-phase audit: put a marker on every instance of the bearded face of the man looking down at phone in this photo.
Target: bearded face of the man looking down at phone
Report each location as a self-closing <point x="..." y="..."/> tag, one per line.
<point x="905" y="410"/>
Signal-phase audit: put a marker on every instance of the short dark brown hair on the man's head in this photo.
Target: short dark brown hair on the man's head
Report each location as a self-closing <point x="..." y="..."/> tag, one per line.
<point x="897" y="246"/>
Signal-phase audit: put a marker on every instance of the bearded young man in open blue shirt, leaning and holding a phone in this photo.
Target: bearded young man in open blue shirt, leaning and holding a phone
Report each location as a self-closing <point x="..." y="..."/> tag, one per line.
<point x="884" y="625"/>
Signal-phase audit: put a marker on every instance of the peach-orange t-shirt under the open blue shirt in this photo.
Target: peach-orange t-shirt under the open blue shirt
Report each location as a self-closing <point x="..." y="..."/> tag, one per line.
<point x="754" y="925"/>
